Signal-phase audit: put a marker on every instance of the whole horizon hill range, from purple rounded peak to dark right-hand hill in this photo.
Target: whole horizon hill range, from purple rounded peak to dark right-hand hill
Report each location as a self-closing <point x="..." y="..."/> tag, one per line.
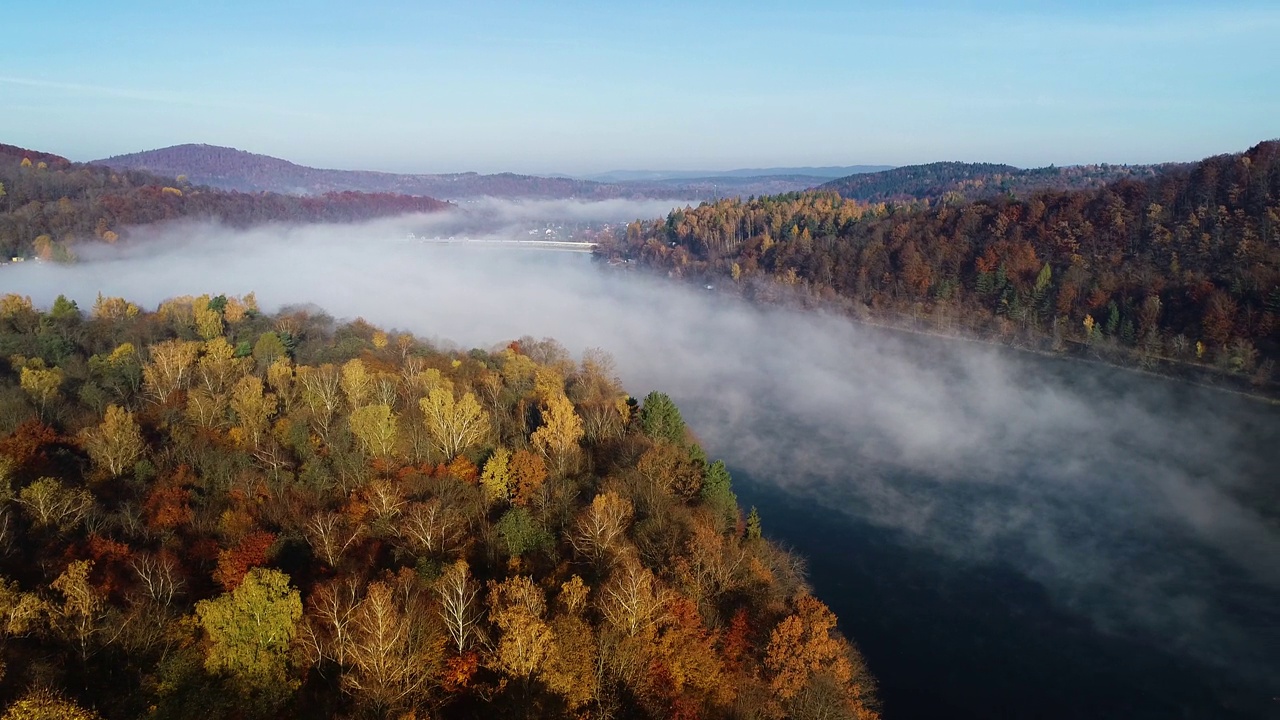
<point x="227" y="168"/>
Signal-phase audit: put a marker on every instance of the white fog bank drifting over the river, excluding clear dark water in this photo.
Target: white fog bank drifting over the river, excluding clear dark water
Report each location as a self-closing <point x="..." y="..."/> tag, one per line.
<point x="1124" y="500"/>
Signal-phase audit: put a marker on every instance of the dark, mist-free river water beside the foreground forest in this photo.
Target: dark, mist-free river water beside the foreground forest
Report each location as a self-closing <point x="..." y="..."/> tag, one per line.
<point x="981" y="640"/>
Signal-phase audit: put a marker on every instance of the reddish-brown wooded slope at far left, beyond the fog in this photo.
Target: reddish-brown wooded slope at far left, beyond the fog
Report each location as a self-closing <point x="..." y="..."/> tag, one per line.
<point x="49" y="206"/>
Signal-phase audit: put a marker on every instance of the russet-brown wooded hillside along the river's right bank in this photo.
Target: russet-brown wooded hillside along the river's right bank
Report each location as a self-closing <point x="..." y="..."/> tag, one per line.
<point x="1182" y="270"/>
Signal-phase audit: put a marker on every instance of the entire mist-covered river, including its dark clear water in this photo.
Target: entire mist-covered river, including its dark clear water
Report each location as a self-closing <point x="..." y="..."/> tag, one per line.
<point x="1004" y="535"/>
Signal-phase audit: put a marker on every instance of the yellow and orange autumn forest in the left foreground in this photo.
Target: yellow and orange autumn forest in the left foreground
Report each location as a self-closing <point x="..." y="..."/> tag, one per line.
<point x="207" y="512"/>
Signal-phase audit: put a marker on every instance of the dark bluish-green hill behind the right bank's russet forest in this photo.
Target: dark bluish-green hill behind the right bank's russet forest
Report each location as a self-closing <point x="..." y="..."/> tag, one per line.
<point x="973" y="181"/>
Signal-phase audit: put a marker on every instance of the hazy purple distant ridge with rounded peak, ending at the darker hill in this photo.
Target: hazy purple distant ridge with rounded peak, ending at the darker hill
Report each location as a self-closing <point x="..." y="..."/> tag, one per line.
<point x="227" y="168"/>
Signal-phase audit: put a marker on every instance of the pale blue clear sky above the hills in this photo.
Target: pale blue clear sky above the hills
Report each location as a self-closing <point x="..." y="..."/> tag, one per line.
<point x="595" y="86"/>
